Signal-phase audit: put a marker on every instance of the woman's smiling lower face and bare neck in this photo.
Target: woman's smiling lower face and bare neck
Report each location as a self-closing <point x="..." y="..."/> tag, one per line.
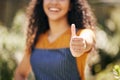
<point x="56" y="10"/>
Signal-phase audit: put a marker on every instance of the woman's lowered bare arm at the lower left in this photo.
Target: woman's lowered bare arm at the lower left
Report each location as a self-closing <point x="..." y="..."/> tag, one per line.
<point x="23" y="69"/>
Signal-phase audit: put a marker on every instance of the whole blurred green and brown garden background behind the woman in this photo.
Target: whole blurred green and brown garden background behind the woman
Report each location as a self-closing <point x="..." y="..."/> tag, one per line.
<point x="12" y="37"/>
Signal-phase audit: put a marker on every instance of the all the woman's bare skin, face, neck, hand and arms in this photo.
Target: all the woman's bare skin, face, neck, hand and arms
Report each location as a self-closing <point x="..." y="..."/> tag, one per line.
<point x="57" y="18"/>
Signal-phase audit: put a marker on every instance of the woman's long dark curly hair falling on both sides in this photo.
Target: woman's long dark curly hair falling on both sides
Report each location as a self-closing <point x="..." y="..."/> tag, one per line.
<point x="80" y="14"/>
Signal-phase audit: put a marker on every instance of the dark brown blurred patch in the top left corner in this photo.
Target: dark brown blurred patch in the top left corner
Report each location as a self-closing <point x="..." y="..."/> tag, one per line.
<point x="8" y="10"/>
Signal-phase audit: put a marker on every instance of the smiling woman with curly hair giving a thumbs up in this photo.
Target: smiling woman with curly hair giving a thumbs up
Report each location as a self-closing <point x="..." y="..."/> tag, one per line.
<point x="59" y="37"/>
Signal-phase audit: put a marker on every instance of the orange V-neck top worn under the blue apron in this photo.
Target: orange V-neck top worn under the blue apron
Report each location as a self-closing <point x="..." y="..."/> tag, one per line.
<point x="63" y="41"/>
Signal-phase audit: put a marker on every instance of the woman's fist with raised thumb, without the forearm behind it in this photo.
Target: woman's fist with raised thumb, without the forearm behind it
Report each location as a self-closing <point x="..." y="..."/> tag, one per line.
<point x="77" y="43"/>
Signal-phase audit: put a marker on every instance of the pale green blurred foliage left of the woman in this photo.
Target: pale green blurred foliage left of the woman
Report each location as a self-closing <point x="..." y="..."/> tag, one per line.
<point x="11" y="42"/>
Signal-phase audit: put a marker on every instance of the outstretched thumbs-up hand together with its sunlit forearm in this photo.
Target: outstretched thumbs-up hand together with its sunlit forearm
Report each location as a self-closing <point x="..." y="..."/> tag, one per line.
<point x="81" y="43"/>
